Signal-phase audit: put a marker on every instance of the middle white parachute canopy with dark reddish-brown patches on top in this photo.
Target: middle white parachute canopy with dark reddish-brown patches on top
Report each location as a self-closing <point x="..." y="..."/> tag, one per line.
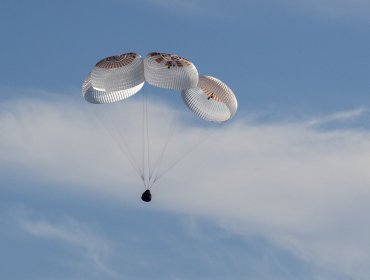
<point x="170" y="71"/>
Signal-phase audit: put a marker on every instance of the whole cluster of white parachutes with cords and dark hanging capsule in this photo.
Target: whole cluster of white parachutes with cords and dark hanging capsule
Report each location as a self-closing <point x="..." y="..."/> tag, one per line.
<point x="116" y="78"/>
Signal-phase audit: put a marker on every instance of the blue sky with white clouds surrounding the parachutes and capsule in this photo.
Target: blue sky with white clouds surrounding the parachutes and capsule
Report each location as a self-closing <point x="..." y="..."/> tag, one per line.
<point x="282" y="192"/>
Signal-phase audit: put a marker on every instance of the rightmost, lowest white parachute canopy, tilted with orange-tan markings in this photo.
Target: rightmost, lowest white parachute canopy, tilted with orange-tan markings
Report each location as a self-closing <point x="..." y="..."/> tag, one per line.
<point x="211" y="100"/>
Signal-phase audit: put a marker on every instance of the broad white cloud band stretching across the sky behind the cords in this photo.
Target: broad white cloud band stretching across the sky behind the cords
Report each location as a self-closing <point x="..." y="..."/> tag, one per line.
<point x="303" y="188"/>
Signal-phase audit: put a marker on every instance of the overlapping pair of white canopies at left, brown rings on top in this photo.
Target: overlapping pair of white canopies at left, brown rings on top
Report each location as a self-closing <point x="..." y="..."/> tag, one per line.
<point x="114" y="78"/>
